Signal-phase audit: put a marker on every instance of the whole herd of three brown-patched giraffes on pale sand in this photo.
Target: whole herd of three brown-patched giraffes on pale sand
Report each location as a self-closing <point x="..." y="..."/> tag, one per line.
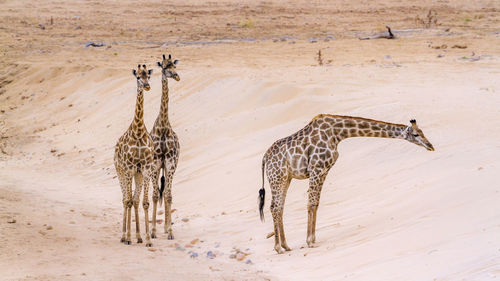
<point x="307" y="154"/>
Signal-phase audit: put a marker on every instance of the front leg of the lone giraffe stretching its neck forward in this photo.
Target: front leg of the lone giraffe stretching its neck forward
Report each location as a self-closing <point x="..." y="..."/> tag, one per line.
<point x="315" y="184"/>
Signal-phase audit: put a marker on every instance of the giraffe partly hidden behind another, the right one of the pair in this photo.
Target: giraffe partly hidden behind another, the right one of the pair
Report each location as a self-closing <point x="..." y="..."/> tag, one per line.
<point x="166" y="154"/>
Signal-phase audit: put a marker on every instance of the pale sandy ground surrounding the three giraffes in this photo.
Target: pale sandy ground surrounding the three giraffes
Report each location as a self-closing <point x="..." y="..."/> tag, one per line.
<point x="249" y="76"/>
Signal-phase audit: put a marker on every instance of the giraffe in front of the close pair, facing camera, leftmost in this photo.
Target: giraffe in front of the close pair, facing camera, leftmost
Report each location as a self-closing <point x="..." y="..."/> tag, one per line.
<point x="134" y="160"/>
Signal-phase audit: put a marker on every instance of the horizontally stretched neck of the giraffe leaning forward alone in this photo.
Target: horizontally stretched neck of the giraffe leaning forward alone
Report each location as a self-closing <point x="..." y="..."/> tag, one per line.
<point x="350" y="127"/>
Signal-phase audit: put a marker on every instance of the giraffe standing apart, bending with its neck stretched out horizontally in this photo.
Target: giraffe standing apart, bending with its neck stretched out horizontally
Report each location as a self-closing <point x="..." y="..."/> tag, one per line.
<point x="310" y="153"/>
